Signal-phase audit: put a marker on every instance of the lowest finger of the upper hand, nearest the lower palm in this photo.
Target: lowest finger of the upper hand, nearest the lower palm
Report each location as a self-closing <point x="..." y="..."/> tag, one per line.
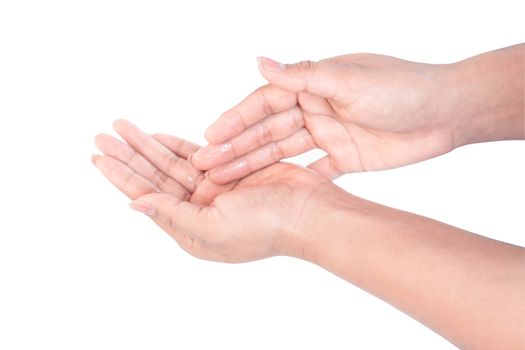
<point x="293" y="145"/>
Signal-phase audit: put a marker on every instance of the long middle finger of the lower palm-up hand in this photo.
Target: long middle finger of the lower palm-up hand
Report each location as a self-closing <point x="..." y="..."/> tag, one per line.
<point x="119" y="150"/>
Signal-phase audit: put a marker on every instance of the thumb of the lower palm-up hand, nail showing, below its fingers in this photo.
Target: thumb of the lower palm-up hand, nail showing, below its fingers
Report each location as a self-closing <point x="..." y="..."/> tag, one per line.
<point x="171" y="213"/>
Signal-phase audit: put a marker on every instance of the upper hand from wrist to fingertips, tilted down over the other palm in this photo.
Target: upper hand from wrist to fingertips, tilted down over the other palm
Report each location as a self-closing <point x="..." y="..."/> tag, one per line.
<point x="368" y="112"/>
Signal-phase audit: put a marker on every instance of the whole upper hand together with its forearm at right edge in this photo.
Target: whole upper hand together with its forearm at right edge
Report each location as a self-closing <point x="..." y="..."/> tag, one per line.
<point x="368" y="112"/>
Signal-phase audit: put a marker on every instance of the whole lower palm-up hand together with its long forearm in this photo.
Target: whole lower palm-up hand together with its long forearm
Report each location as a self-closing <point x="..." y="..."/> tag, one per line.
<point x="468" y="288"/>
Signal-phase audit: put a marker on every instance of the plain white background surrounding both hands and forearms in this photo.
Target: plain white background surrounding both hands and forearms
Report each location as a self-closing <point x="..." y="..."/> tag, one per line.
<point x="79" y="270"/>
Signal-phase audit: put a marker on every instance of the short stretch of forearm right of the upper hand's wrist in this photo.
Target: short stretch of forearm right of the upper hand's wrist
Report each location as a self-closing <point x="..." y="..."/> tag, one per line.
<point x="488" y="93"/>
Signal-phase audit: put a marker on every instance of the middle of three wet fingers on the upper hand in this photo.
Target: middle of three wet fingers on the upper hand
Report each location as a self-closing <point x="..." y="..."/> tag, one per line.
<point x="273" y="128"/>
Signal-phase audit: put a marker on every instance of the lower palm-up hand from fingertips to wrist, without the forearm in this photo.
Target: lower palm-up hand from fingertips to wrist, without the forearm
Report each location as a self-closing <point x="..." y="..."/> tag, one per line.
<point x="267" y="213"/>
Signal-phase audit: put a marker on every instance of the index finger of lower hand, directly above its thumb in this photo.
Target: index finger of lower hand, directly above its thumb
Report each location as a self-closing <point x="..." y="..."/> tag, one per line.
<point x="129" y="182"/>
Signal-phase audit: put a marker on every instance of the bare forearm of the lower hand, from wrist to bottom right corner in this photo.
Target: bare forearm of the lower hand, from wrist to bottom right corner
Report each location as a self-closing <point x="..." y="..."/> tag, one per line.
<point x="468" y="288"/>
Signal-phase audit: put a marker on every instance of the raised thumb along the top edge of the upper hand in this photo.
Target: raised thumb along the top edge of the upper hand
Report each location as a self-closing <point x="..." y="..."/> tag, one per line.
<point x="318" y="78"/>
